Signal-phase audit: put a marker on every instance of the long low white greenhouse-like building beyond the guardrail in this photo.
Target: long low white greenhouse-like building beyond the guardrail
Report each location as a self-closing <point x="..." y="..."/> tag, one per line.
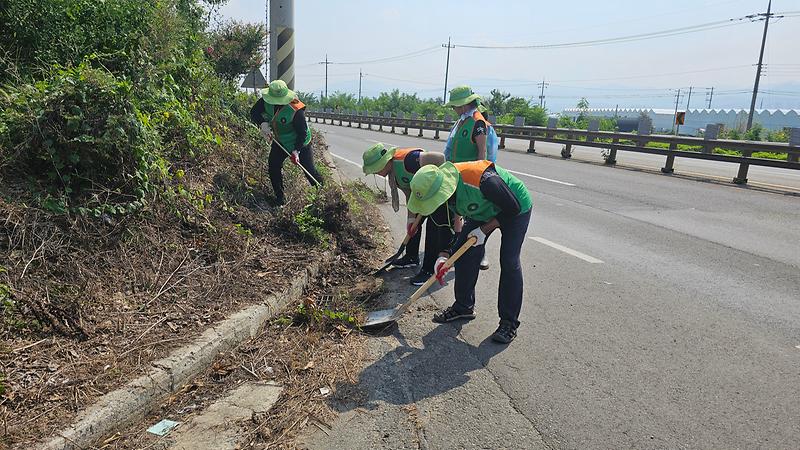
<point x="662" y="119"/>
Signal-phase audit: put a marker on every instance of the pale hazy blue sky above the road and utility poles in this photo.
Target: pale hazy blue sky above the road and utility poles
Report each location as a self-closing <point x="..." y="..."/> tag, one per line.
<point x="631" y="74"/>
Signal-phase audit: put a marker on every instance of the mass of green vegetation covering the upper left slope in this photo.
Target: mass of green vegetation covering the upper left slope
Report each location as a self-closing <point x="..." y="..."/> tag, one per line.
<point x="94" y="118"/>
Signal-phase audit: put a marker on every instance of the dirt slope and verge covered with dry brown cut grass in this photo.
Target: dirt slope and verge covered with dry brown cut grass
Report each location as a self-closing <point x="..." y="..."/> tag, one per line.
<point x="92" y="301"/>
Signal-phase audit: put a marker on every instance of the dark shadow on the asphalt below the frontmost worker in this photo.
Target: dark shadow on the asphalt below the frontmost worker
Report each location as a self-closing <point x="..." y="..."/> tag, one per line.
<point x="408" y="374"/>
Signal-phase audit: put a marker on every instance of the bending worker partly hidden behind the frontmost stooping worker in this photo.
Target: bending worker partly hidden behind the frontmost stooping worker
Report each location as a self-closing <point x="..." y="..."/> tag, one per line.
<point x="399" y="165"/>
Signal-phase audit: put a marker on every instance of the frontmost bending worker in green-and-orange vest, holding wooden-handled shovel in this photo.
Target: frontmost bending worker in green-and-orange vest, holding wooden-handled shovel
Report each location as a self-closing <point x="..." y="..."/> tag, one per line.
<point x="490" y="198"/>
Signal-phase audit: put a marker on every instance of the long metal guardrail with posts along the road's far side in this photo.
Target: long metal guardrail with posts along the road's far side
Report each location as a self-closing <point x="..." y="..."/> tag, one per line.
<point x="613" y="141"/>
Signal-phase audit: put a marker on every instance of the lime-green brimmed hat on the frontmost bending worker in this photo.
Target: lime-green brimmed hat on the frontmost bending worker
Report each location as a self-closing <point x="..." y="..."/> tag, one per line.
<point x="431" y="187"/>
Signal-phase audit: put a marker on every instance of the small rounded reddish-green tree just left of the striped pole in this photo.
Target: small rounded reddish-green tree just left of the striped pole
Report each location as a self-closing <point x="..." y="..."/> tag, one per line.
<point x="236" y="48"/>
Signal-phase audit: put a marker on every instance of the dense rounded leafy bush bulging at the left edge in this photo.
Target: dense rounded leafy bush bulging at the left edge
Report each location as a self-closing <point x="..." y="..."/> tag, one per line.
<point x="79" y="138"/>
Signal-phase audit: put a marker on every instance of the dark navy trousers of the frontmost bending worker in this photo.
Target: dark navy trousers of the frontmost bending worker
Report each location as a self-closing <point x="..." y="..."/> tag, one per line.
<point x="509" y="293"/>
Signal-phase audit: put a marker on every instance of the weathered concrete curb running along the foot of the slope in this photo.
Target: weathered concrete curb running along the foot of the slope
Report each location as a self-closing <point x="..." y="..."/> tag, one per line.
<point x="131" y="403"/>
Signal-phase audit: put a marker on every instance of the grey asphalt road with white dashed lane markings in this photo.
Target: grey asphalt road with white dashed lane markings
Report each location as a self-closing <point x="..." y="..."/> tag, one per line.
<point x="659" y="312"/>
